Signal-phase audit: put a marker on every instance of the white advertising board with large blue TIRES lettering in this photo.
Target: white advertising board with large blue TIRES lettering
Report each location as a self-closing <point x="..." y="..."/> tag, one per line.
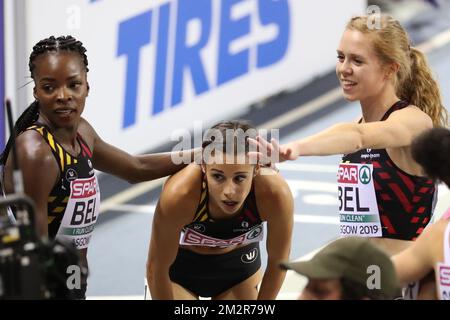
<point x="160" y="65"/>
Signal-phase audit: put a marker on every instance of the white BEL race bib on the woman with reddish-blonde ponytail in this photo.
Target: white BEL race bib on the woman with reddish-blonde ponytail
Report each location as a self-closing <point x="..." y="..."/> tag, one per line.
<point x="358" y="209"/>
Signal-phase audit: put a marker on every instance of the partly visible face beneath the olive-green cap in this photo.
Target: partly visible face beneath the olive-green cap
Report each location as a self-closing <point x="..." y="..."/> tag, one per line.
<point x="322" y="289"/>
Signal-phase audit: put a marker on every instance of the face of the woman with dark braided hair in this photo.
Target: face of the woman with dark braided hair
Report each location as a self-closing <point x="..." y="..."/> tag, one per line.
<point x="60" y="87"/>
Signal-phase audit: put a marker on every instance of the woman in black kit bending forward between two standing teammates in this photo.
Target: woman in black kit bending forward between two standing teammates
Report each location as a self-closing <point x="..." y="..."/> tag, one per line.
<point x="209" y="222"/>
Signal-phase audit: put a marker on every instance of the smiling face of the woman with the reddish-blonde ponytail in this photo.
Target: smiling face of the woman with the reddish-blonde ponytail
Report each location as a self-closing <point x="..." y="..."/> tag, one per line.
<point x="359" y="70"/>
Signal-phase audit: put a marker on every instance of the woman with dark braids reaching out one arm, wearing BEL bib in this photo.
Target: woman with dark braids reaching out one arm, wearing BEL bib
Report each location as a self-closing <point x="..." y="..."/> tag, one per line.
<point x="58" y="150"/>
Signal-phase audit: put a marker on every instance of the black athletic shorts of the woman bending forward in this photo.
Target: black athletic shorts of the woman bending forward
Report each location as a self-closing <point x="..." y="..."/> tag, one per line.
<point x="208" y="275"/>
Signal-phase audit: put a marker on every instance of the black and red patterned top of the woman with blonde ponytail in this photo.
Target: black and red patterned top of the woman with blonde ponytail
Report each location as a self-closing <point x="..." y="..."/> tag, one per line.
<point x="405" y="202"/>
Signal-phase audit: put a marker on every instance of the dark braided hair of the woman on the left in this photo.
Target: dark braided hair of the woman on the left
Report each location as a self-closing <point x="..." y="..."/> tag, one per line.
<point x="31" y="114"/>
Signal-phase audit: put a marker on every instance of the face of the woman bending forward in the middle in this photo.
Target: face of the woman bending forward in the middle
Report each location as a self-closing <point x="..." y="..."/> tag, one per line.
<point x="228" y="186"/>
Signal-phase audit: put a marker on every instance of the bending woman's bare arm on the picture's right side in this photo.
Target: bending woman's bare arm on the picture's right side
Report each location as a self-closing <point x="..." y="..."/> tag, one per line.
<point x="276" y="205"/>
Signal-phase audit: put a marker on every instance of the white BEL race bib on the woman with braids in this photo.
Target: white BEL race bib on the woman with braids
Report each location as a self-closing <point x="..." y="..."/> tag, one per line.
<point x="81" y="212"/>
